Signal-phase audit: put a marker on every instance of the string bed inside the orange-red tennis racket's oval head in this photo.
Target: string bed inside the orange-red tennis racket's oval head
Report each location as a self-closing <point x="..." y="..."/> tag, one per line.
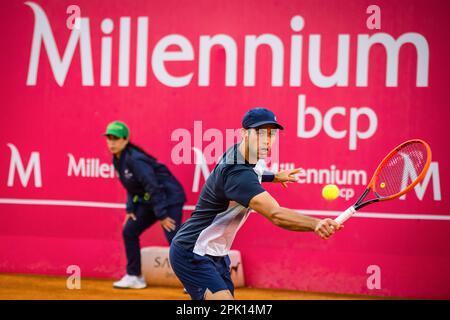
<point x="402" y="169"/>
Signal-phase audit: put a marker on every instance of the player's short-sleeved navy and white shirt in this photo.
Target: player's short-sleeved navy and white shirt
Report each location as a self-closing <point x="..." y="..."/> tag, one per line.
<point x="222" y="207"/>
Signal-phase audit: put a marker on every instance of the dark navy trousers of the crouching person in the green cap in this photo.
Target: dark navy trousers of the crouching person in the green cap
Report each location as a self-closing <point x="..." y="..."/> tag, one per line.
<point x="132" y="230"/>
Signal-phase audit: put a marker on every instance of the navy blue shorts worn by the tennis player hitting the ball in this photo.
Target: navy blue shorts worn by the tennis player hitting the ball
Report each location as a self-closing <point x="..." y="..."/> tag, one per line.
<point x="198" y="273"/>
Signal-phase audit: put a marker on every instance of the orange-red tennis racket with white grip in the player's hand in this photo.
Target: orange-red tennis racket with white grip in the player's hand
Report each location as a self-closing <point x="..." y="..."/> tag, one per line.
<point x="399" y="172"/>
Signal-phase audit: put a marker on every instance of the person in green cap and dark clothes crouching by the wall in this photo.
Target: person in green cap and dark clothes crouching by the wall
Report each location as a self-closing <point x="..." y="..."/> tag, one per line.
<point x="153" y="194"/>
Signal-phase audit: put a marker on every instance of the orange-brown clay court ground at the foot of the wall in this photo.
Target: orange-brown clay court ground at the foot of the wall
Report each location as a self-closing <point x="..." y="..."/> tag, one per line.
<point x="30" y="287"/>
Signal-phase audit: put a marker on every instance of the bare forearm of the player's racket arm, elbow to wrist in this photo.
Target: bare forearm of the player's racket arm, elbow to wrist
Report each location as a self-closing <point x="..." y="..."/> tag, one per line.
<point x="291" y="220"/>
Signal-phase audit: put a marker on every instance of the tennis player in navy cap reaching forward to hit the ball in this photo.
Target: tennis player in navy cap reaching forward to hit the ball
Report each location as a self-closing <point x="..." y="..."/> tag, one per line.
<point x="199" y="251"/>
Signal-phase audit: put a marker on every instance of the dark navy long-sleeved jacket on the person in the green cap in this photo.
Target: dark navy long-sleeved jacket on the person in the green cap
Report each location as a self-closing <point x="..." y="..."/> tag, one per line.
<point x="147" y="181"/>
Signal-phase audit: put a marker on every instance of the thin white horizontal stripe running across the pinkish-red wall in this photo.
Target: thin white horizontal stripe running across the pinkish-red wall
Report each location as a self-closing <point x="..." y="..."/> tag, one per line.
<point x="93" y="204"/>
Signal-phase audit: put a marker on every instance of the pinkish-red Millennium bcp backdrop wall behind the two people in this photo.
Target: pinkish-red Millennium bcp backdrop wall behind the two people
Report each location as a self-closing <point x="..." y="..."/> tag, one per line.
<point x="348" y="80"/>
